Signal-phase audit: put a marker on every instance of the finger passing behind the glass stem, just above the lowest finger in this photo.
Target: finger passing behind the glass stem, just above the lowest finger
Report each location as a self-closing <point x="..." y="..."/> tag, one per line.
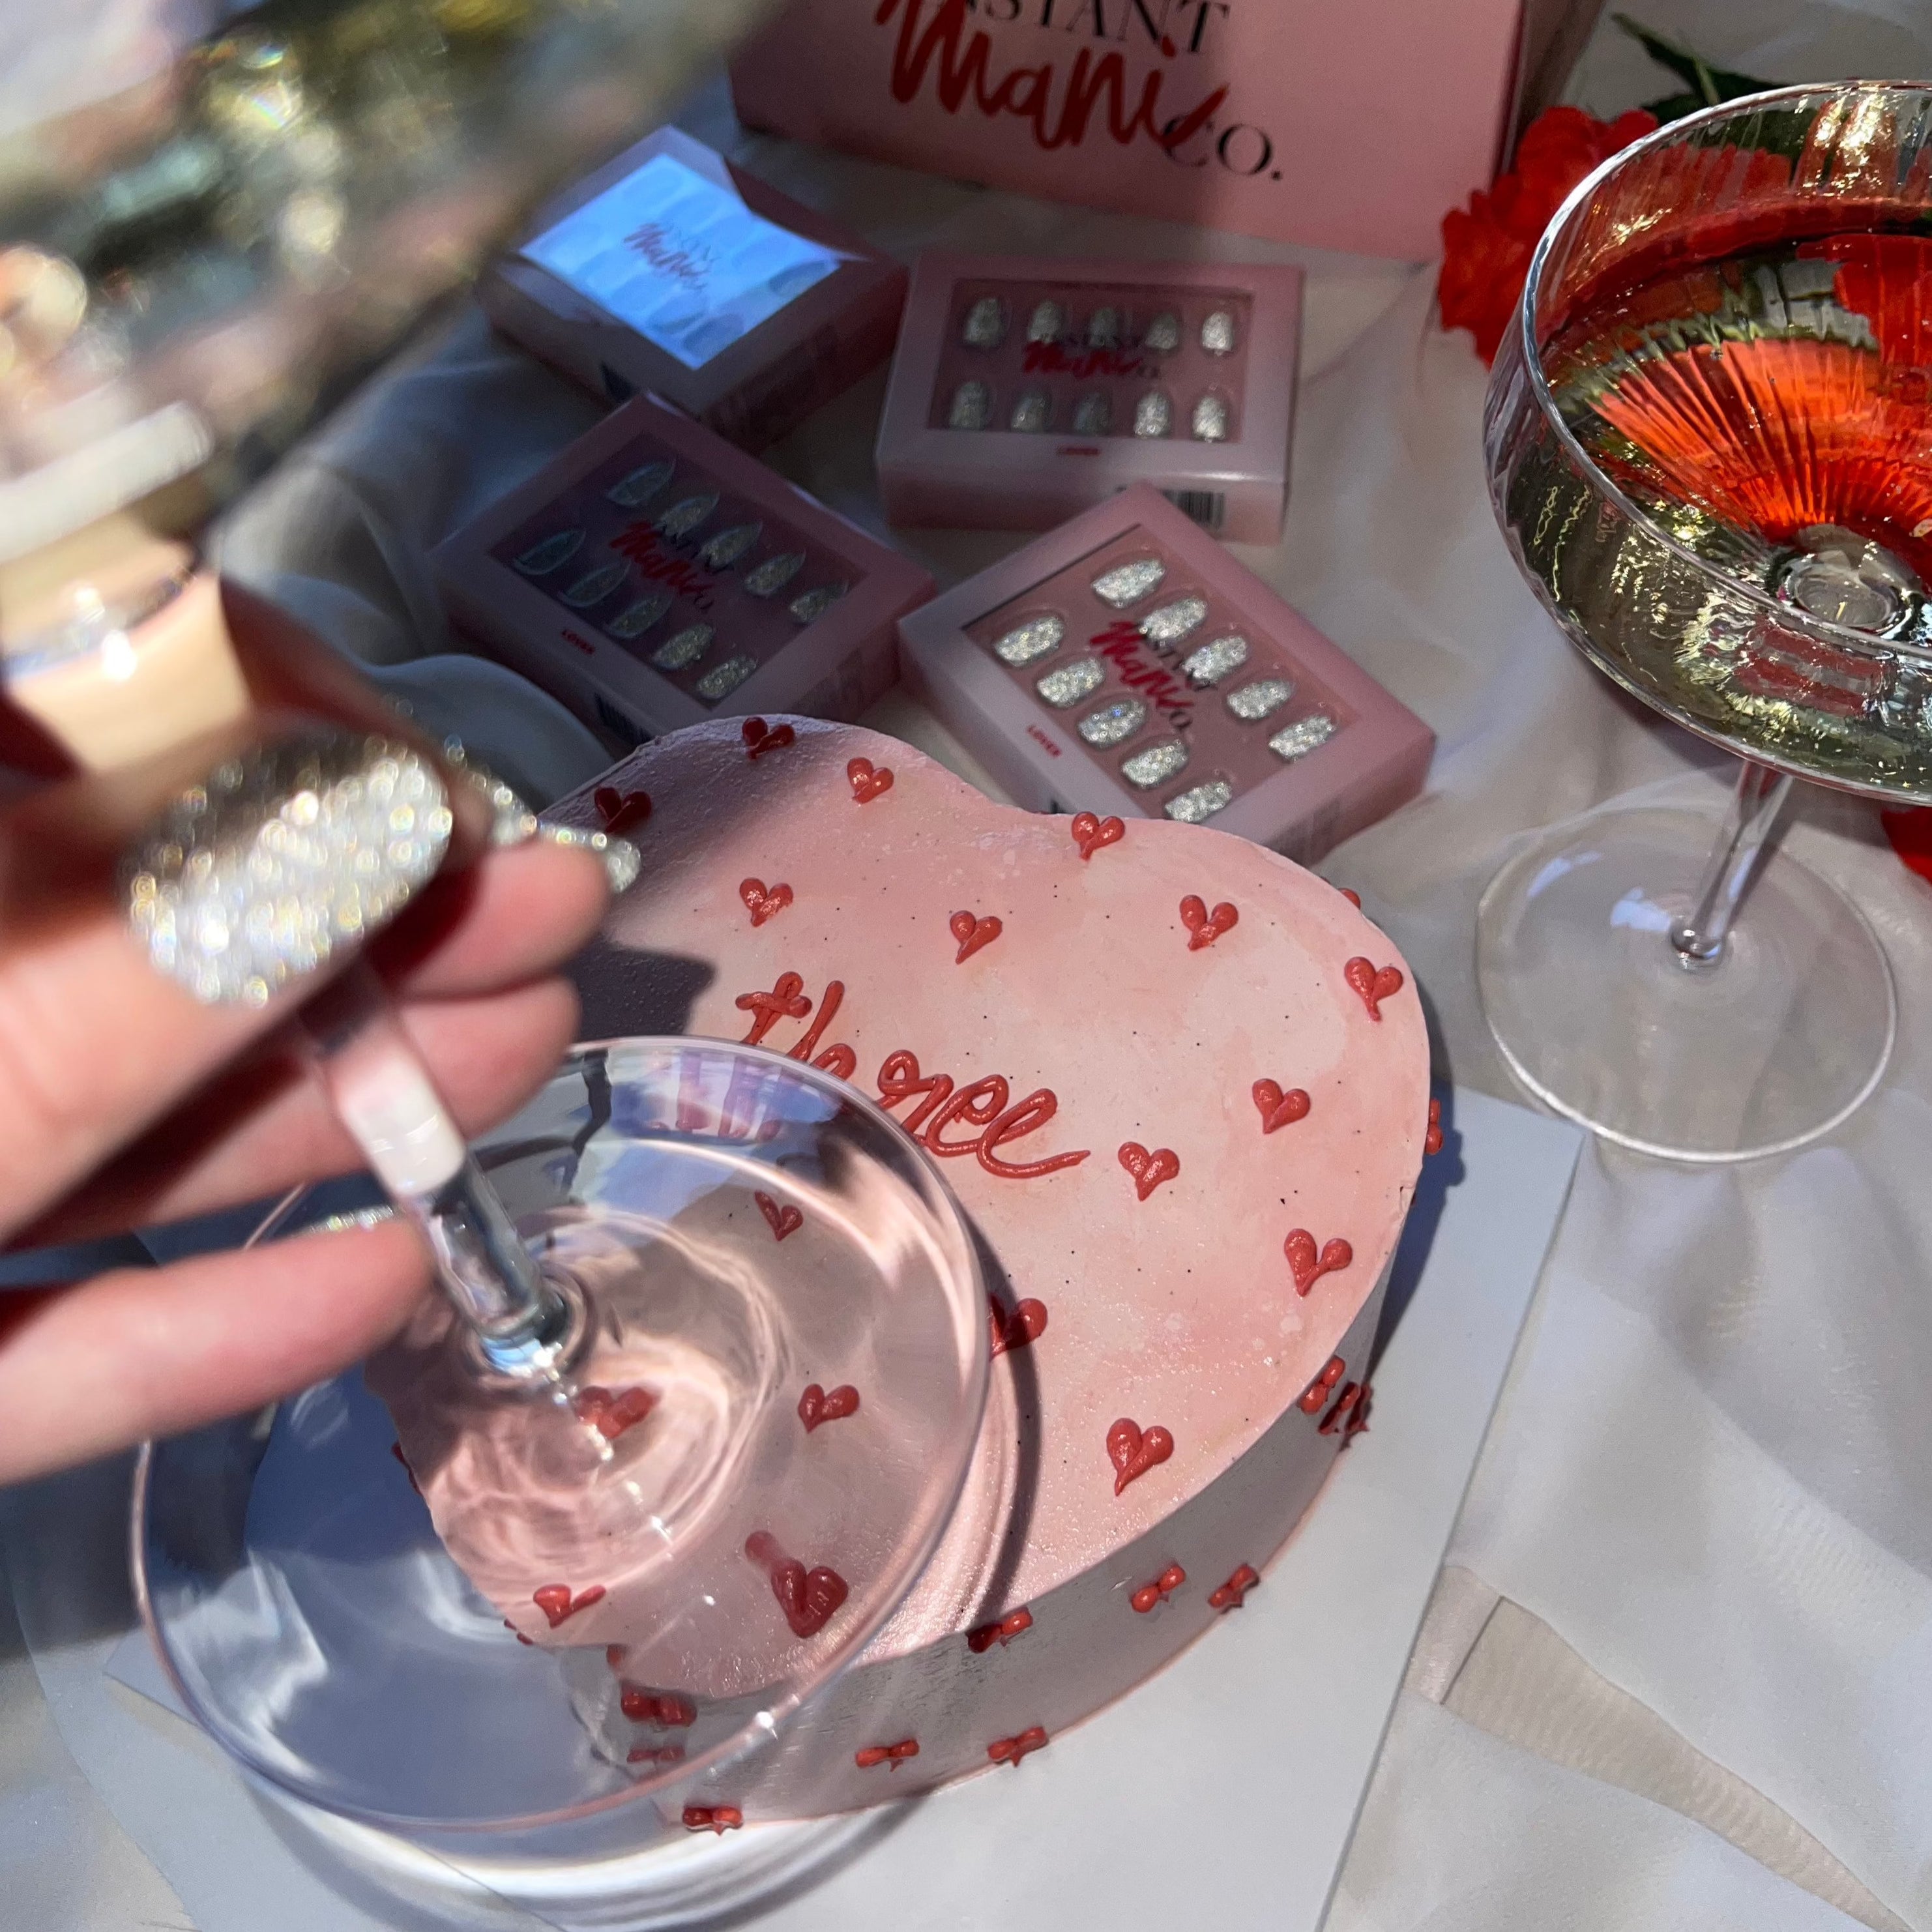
<point x="268" y="1125"/>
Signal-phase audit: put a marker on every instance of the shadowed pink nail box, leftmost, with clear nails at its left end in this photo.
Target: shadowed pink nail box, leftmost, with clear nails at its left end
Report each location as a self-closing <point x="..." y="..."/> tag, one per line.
<point x="656" y="577"/>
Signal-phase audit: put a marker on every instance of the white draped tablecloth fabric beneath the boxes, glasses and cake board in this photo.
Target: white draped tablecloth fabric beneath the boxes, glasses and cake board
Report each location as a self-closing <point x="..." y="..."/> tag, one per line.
<point x="1682" y="1670"/>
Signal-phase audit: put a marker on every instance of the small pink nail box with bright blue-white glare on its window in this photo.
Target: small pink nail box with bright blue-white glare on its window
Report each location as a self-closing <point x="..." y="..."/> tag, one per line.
<point x="677" y="273"/>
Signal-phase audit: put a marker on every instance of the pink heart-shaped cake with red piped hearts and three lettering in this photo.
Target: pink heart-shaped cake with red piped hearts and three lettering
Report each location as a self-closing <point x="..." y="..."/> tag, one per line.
<point x="1120" y="1002"/>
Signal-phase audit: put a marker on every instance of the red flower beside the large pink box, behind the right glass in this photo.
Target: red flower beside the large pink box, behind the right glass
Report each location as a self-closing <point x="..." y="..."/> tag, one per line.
<point x="1487" y="248"/>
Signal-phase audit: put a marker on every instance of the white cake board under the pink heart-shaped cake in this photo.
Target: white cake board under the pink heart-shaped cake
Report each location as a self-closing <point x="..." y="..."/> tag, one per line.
<point x="1224" y="1792"/>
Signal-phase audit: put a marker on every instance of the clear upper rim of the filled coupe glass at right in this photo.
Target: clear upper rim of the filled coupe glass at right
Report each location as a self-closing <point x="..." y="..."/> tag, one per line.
<point x="1527" y="347"/>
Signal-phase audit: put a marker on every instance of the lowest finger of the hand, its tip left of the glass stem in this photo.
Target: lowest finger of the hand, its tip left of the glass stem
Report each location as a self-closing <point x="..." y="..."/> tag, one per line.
<point x="157" y="1351"/>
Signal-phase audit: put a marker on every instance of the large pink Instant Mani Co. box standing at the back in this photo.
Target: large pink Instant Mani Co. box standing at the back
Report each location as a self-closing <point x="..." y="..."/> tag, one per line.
<point x="1351" y="127"/>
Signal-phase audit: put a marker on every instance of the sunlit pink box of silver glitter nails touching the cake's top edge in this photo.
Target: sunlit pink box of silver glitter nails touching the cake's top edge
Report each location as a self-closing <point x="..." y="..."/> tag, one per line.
<point x="1127" y="668"/>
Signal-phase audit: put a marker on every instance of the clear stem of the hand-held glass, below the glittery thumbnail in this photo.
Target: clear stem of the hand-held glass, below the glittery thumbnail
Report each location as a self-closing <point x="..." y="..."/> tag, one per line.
<point x="521" y="1319"/>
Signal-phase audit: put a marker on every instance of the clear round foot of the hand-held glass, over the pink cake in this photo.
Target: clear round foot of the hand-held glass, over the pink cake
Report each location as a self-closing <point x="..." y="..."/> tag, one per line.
<point x="741" y="1228"/>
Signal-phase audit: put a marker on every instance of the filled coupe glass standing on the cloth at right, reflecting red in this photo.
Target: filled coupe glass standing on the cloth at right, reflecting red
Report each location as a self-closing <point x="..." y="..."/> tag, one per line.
<point x="1709" y="443"/>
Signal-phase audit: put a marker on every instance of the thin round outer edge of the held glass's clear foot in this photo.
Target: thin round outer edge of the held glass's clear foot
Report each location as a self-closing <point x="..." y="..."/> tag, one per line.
<point x="780" y="1709"/>
